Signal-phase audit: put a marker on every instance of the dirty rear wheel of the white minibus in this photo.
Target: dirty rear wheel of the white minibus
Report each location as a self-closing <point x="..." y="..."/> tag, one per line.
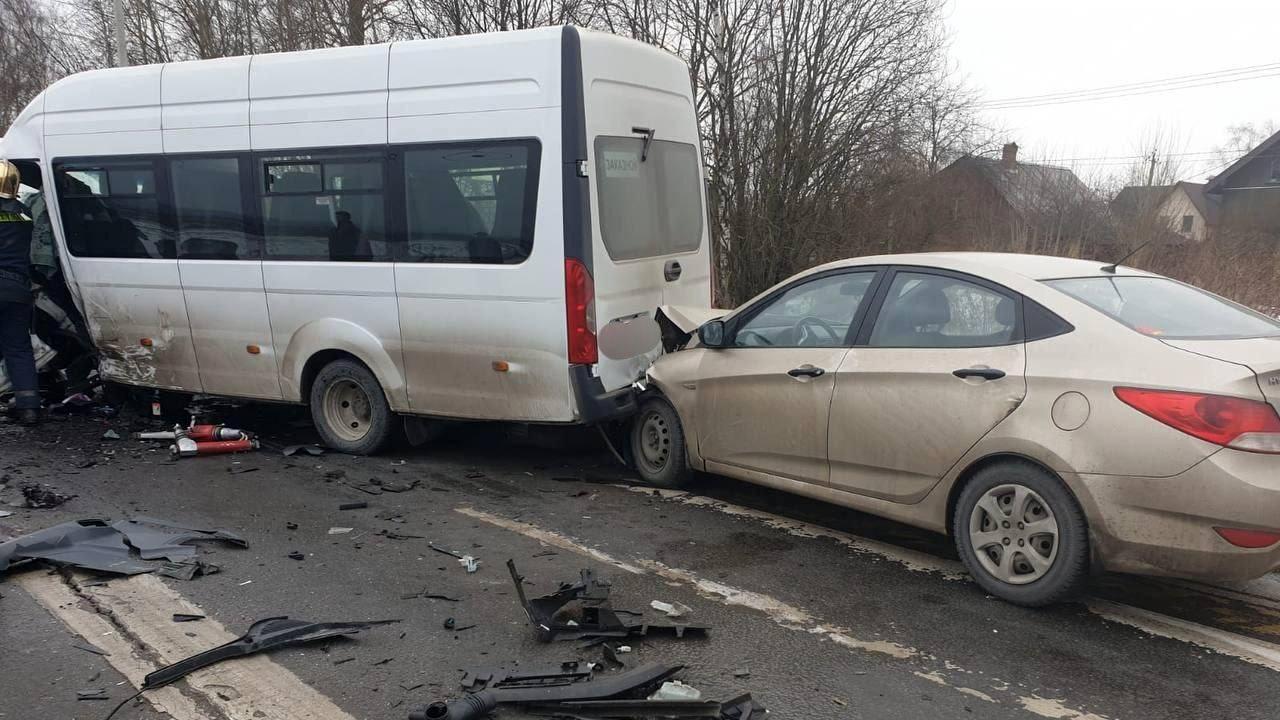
<point x="350" y="409"/>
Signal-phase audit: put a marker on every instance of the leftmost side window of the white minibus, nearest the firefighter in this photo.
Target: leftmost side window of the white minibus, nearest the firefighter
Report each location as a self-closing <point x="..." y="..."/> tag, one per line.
<point x="111" y="209"/>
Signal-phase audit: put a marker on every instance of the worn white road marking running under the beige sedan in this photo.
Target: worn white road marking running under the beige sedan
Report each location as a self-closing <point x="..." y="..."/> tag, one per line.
<point x="1241" y="648"/>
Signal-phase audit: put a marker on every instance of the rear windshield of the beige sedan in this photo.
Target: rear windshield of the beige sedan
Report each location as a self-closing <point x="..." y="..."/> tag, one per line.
<point x="1168" y="309"/>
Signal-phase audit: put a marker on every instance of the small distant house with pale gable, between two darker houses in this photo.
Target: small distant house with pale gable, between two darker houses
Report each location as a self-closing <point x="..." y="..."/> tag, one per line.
<point x="1180" y="212"/>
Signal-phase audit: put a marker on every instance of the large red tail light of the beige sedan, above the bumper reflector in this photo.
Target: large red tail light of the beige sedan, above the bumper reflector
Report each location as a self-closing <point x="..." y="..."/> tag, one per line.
<point x="1232" y="422"/>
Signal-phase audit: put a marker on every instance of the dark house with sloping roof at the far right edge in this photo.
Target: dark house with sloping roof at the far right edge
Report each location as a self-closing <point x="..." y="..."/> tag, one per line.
<point x="1249" y="192"/>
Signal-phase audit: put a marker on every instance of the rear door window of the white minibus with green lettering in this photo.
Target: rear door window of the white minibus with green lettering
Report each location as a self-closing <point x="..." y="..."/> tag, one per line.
<point x="651" y="203"/>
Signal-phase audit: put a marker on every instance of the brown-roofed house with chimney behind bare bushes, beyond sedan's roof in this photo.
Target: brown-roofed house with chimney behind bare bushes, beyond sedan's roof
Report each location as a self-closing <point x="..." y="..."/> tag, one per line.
<point x="998" y="204"/>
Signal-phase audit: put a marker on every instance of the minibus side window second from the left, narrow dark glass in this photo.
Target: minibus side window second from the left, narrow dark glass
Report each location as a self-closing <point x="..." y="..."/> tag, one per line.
<point x="207" y="197"/>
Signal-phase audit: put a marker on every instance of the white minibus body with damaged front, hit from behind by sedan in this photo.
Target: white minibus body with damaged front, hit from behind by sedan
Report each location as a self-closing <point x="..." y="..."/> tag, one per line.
<point x="346" y="244"/>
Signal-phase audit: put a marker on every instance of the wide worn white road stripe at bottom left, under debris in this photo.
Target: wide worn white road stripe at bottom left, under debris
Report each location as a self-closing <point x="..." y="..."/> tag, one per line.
<point x="143" y="608"/>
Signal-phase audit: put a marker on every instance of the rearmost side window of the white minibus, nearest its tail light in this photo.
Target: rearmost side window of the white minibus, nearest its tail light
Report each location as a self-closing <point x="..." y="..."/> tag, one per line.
<point x="472" y="203"/>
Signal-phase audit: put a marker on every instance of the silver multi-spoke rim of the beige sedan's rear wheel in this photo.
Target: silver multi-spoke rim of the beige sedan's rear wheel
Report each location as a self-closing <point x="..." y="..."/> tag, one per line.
<point x="1014" y="535"/>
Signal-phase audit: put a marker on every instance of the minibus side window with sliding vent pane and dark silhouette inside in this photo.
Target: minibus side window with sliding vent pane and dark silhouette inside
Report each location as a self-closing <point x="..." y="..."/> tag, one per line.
<point x="324" y="207"/>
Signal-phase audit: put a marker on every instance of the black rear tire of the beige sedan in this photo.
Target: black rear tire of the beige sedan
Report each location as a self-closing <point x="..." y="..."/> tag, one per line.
<point x="1068" y="568"/>
